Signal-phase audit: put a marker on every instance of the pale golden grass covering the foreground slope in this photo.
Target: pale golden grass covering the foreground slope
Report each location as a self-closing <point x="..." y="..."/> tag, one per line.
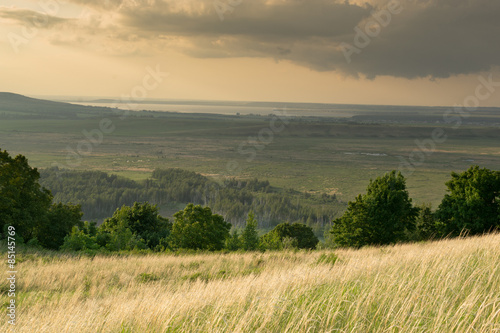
<point x="445" y="286"/>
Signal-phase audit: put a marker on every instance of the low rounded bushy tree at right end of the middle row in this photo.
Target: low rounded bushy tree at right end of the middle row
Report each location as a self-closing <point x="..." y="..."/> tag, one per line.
<point x="304" y="235"/>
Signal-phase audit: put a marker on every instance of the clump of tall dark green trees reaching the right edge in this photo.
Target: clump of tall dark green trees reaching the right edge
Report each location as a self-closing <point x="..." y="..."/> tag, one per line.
<point x="386" y="214"/>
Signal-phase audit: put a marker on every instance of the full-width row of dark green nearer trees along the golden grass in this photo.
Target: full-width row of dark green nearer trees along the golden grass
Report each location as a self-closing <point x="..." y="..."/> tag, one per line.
<point x="385" y="214"/>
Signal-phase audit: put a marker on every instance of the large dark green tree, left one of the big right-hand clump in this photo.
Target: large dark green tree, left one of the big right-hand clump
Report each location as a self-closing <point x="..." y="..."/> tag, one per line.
<point x="384" y="215"/>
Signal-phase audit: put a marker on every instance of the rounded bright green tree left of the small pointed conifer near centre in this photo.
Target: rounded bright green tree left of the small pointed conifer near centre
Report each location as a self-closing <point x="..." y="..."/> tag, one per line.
<point x="196" y="227"/>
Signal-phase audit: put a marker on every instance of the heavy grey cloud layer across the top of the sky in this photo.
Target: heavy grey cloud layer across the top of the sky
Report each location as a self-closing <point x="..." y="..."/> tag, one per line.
<point x="428" y="38"/>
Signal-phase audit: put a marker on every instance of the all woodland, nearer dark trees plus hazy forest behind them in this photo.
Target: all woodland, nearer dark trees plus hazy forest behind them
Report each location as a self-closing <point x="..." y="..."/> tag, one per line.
<point x="385" y="214"/>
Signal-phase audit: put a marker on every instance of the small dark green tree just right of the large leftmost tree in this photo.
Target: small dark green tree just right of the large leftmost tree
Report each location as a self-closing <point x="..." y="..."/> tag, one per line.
<point x="60" y="221"/>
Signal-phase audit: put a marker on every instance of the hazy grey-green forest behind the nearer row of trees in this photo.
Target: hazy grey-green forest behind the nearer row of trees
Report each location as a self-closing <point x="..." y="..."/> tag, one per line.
<point x="100" y="194"/>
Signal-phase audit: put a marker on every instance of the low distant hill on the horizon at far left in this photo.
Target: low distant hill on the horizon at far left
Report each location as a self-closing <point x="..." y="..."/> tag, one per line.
<point x="15" y="105"/>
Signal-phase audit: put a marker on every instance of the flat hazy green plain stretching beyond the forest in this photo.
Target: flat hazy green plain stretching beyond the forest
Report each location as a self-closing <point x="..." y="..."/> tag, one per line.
<point x="313" y="154"/>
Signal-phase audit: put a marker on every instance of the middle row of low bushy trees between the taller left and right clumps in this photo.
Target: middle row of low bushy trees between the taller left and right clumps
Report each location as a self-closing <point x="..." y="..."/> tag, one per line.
<point x="140" y="227"/>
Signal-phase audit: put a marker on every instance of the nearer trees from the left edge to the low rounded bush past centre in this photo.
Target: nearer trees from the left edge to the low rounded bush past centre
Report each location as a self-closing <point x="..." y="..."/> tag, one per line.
<point x="39" y="221"/>
